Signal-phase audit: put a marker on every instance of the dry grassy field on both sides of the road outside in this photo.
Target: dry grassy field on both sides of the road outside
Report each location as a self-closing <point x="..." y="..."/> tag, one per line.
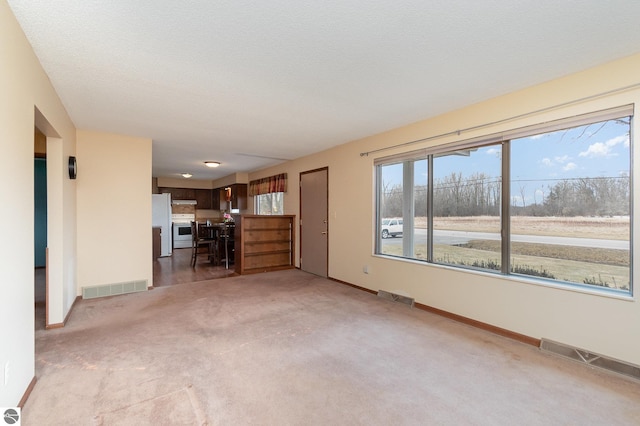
<point x="589" y="265"/>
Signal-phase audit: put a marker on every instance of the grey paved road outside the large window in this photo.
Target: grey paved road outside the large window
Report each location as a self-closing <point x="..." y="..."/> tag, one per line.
<point x="462" y="237"/>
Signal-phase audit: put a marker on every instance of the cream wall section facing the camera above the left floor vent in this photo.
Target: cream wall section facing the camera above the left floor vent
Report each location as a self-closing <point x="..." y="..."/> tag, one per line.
<point x="114" y="209"/>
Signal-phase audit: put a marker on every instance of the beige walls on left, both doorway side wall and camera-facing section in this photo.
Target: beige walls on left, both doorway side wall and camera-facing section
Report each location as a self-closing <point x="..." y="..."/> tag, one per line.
<point x="84" y="238"/>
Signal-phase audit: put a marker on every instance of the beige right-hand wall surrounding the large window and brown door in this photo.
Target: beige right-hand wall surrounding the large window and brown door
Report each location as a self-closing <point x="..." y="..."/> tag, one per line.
<point x="606" y="325"/>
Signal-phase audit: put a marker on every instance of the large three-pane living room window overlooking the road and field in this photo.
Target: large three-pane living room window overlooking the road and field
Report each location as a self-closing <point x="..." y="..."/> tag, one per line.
<point x="549" y="202"/>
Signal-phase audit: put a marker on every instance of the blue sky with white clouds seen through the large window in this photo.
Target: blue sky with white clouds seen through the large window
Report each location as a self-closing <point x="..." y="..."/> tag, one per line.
<point x="537" y="162"/>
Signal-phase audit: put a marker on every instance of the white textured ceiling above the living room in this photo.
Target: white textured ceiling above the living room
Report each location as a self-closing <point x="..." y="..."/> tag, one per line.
<point x="249" y="82"/>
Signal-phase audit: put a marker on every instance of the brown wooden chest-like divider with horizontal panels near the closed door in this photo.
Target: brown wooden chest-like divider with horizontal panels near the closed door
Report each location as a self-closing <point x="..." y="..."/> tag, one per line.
<point x="264" y="243"/>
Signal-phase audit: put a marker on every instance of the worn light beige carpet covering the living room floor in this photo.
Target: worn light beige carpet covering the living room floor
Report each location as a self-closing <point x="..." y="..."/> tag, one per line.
<point x="289" y="348"/>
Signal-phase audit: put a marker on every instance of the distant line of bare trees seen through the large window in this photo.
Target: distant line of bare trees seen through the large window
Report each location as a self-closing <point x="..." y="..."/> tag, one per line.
<point x="479" y="195"/>
